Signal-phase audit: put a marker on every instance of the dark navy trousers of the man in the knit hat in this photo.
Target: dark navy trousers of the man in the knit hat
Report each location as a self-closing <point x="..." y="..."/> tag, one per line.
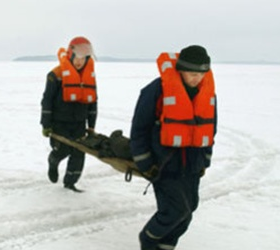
<point x="176" y="200"/>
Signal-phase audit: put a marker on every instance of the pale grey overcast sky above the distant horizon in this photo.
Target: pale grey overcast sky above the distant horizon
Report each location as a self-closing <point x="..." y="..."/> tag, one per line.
<point x="231" y="30"/>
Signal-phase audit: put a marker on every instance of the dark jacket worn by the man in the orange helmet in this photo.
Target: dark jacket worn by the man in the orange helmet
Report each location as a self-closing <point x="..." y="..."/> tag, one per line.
<point x="54" y="109"/>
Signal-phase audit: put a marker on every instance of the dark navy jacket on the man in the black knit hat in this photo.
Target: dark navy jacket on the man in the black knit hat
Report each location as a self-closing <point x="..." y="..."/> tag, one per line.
<point x="145" y="139"/>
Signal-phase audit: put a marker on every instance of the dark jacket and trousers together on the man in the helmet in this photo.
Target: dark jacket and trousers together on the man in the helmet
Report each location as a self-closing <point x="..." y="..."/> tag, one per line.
<point x="68" y="120"/>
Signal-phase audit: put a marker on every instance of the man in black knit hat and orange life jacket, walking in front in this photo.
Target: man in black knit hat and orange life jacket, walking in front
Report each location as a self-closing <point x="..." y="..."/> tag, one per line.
<point x="172" y="136"/>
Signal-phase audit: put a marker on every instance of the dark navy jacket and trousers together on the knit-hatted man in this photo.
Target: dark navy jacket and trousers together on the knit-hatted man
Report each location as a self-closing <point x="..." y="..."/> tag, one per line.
<point x="176" y="189"/>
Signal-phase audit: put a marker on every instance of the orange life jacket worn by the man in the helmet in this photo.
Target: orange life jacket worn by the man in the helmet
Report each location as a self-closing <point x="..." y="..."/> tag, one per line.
<point x="77" y="87"/>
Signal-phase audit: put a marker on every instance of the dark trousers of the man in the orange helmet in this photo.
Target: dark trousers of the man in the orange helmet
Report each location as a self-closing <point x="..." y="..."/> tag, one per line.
<point x="61" y="151"/>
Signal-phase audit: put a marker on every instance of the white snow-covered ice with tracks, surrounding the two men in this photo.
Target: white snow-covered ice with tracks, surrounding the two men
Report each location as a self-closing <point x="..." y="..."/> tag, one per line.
<point x="240" y="194"/>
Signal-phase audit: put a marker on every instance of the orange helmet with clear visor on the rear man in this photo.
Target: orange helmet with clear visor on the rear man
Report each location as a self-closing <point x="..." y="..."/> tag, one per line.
<point x="79" y="47"/>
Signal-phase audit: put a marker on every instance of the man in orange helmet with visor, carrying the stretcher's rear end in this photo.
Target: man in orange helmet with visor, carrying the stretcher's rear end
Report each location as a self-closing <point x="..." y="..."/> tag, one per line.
<point x="69" y="102"/>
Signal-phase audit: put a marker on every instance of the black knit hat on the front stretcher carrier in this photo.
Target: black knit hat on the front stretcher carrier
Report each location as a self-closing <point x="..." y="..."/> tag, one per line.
<point x="193" y="58"/>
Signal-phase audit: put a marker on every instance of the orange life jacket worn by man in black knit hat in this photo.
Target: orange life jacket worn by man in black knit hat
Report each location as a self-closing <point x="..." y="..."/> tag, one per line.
<point x="185" y="122"/>
